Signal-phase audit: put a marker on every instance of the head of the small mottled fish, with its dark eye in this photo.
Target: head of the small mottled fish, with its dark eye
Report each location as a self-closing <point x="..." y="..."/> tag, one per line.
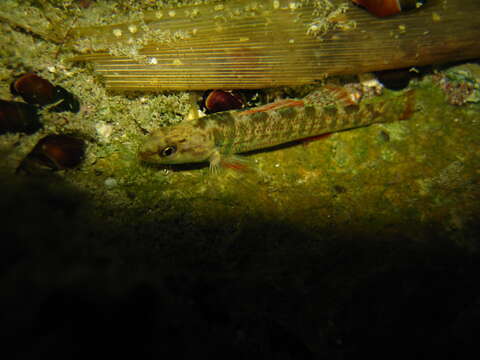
<point x="179" y="144"/>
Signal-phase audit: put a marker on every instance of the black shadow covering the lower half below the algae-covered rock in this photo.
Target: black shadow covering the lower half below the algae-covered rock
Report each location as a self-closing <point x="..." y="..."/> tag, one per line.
<point x="74" y="284"/>
